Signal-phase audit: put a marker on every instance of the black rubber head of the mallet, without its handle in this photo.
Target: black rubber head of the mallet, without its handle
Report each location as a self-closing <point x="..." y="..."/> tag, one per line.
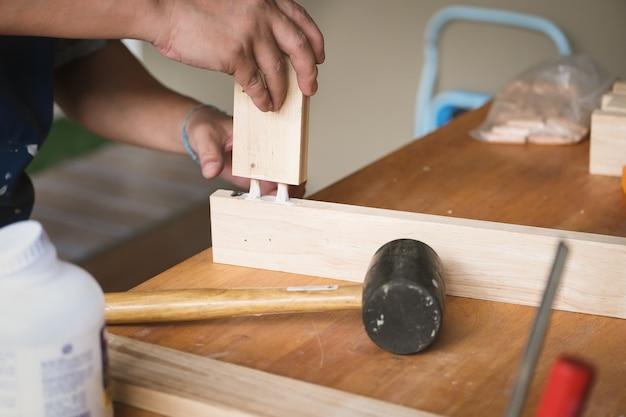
<point x="403" y="296"/>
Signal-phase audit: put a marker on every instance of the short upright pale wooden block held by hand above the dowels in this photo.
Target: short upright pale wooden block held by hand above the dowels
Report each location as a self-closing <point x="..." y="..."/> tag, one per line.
<point x="271" y="146"/>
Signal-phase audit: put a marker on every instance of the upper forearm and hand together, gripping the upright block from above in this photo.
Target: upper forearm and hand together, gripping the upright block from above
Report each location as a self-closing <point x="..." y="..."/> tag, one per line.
<point x="245" y="38"/>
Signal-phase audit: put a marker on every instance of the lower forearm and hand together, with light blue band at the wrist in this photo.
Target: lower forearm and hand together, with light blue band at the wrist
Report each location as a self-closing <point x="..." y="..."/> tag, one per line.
<point x="111" y="94"/>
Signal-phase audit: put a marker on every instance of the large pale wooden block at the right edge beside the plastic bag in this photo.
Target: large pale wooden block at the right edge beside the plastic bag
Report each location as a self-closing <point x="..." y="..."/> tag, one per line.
<point x="607" y="153"/>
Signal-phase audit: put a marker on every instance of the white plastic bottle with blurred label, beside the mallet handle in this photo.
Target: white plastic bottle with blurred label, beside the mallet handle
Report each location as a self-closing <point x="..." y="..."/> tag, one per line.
<point x="52" y="351"/>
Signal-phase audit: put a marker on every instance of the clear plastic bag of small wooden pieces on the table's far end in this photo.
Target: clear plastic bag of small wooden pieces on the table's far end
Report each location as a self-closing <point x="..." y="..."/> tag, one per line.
<point x="550" y="104"/>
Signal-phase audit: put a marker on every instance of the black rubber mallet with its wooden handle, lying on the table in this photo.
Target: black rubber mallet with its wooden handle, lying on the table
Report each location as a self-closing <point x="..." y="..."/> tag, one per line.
<point x="402" y="299"/>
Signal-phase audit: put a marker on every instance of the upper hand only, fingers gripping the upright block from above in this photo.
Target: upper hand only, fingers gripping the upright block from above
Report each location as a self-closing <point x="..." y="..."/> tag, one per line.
<point x="247" y="39"/>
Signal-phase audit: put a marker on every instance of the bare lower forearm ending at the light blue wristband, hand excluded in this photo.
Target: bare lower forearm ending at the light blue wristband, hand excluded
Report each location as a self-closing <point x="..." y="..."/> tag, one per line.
<point x="111" y="94"/>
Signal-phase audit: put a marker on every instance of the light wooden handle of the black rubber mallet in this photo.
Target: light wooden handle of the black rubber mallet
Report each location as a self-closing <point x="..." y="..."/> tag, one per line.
<point x="202" y="304"/>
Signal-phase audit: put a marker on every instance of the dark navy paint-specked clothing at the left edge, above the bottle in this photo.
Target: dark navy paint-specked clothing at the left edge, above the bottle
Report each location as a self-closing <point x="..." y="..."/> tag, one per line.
<point x="26" y="100"/>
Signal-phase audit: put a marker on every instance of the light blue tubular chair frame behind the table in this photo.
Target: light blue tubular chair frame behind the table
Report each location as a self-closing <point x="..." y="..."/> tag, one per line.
<point x="433" y="112"/>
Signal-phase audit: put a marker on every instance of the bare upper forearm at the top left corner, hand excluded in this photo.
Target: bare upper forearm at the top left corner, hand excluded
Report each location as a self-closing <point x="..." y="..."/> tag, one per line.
<point x="89" y="19"/>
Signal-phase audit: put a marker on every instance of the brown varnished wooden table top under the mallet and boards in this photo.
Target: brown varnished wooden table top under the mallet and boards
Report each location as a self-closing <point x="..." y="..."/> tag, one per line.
<point x="470" y="370"/>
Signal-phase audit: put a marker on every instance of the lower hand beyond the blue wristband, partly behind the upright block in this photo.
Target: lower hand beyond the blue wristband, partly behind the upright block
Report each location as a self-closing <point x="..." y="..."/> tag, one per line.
<point x="211" y="137"/>
